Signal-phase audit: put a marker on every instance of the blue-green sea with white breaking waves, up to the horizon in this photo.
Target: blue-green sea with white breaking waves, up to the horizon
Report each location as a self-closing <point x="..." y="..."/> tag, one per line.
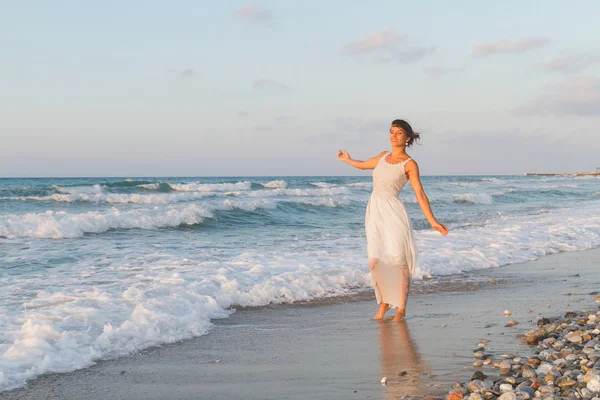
<point x="98" y="268"/>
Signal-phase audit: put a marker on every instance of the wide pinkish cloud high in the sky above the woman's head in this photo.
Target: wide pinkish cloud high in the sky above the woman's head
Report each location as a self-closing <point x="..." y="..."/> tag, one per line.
<point x="386" y="46"/>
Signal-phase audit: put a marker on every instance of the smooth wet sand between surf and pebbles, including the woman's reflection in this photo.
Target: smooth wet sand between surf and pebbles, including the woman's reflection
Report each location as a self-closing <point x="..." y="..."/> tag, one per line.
<point x="332" y="350"/>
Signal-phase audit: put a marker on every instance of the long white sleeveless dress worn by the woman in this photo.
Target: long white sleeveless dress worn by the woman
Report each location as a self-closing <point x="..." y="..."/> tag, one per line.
<point x="390" y="239"/>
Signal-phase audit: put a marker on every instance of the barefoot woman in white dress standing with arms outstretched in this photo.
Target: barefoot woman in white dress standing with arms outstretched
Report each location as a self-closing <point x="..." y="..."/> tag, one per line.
<point x="391" y="248"/>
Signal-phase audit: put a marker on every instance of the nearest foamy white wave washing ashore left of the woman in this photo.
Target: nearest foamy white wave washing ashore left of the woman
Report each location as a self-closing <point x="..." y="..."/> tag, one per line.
<point x="160" y="303"/>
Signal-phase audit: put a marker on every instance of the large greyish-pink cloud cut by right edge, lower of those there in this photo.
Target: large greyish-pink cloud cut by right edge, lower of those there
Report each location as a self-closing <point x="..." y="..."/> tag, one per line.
<point x="575" y="97"/>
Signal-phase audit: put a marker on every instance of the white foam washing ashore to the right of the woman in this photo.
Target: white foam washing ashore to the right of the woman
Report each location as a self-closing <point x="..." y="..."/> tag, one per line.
<point x="510" y="240"/>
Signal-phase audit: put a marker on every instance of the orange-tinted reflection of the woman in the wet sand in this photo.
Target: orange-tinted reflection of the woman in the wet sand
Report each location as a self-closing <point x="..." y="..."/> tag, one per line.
<point x="400" y="361"/>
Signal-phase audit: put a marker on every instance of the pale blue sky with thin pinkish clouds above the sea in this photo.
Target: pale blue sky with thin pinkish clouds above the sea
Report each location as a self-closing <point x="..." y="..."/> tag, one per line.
<point x="275" y="88"/>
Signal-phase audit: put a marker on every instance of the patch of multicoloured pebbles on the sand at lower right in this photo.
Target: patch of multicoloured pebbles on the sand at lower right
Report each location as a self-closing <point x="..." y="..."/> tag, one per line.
<point x="564" y="363"/>
